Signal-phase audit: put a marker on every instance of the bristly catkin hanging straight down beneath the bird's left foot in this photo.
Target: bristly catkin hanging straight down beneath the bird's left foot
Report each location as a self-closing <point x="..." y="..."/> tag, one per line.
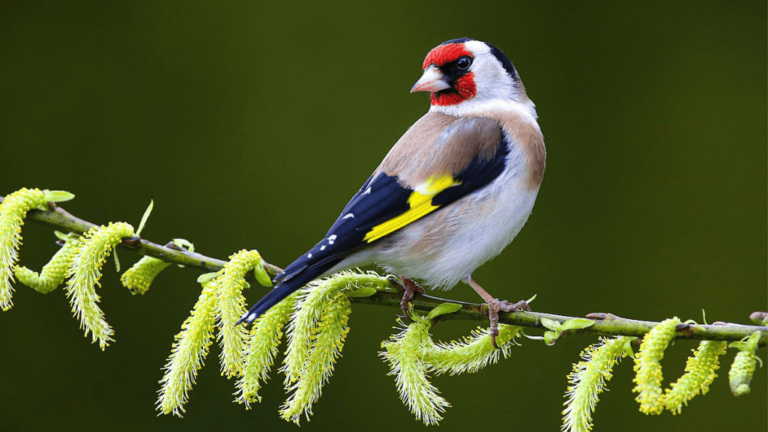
<point x="405" y="353"/>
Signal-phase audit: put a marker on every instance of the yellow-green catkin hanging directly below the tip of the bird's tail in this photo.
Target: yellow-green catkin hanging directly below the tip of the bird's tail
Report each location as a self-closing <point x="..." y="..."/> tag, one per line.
<point x="260" y="353"/>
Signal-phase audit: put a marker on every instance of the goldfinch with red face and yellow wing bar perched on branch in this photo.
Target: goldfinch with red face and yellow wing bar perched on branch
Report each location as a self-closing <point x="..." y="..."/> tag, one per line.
<point x="452" y="192"/>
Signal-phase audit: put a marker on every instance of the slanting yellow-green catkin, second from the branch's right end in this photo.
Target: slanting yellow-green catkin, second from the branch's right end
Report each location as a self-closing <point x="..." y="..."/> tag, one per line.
<point x="699" y="373"/>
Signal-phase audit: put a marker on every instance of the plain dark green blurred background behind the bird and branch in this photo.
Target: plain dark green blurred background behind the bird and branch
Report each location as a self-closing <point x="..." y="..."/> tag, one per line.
<point x="251" y="124"/>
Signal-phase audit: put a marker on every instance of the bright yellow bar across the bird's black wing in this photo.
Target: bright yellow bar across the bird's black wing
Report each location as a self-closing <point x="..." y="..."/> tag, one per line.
<point x="420" y="203"/>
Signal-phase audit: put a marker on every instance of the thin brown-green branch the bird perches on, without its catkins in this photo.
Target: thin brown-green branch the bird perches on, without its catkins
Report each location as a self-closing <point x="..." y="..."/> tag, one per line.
<point x="605" y="324"/>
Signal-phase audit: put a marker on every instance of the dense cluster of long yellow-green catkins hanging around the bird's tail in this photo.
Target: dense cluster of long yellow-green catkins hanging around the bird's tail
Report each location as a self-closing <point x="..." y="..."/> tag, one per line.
<point x="322" y="308"/>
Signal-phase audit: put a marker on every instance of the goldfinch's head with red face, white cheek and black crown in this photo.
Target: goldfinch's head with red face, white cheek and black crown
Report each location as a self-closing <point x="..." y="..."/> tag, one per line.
<point x="465" y="74"/>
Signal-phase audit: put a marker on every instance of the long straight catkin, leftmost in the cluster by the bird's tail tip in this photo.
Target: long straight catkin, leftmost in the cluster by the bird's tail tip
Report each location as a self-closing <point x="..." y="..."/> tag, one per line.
<point x="189" y="350"/>
